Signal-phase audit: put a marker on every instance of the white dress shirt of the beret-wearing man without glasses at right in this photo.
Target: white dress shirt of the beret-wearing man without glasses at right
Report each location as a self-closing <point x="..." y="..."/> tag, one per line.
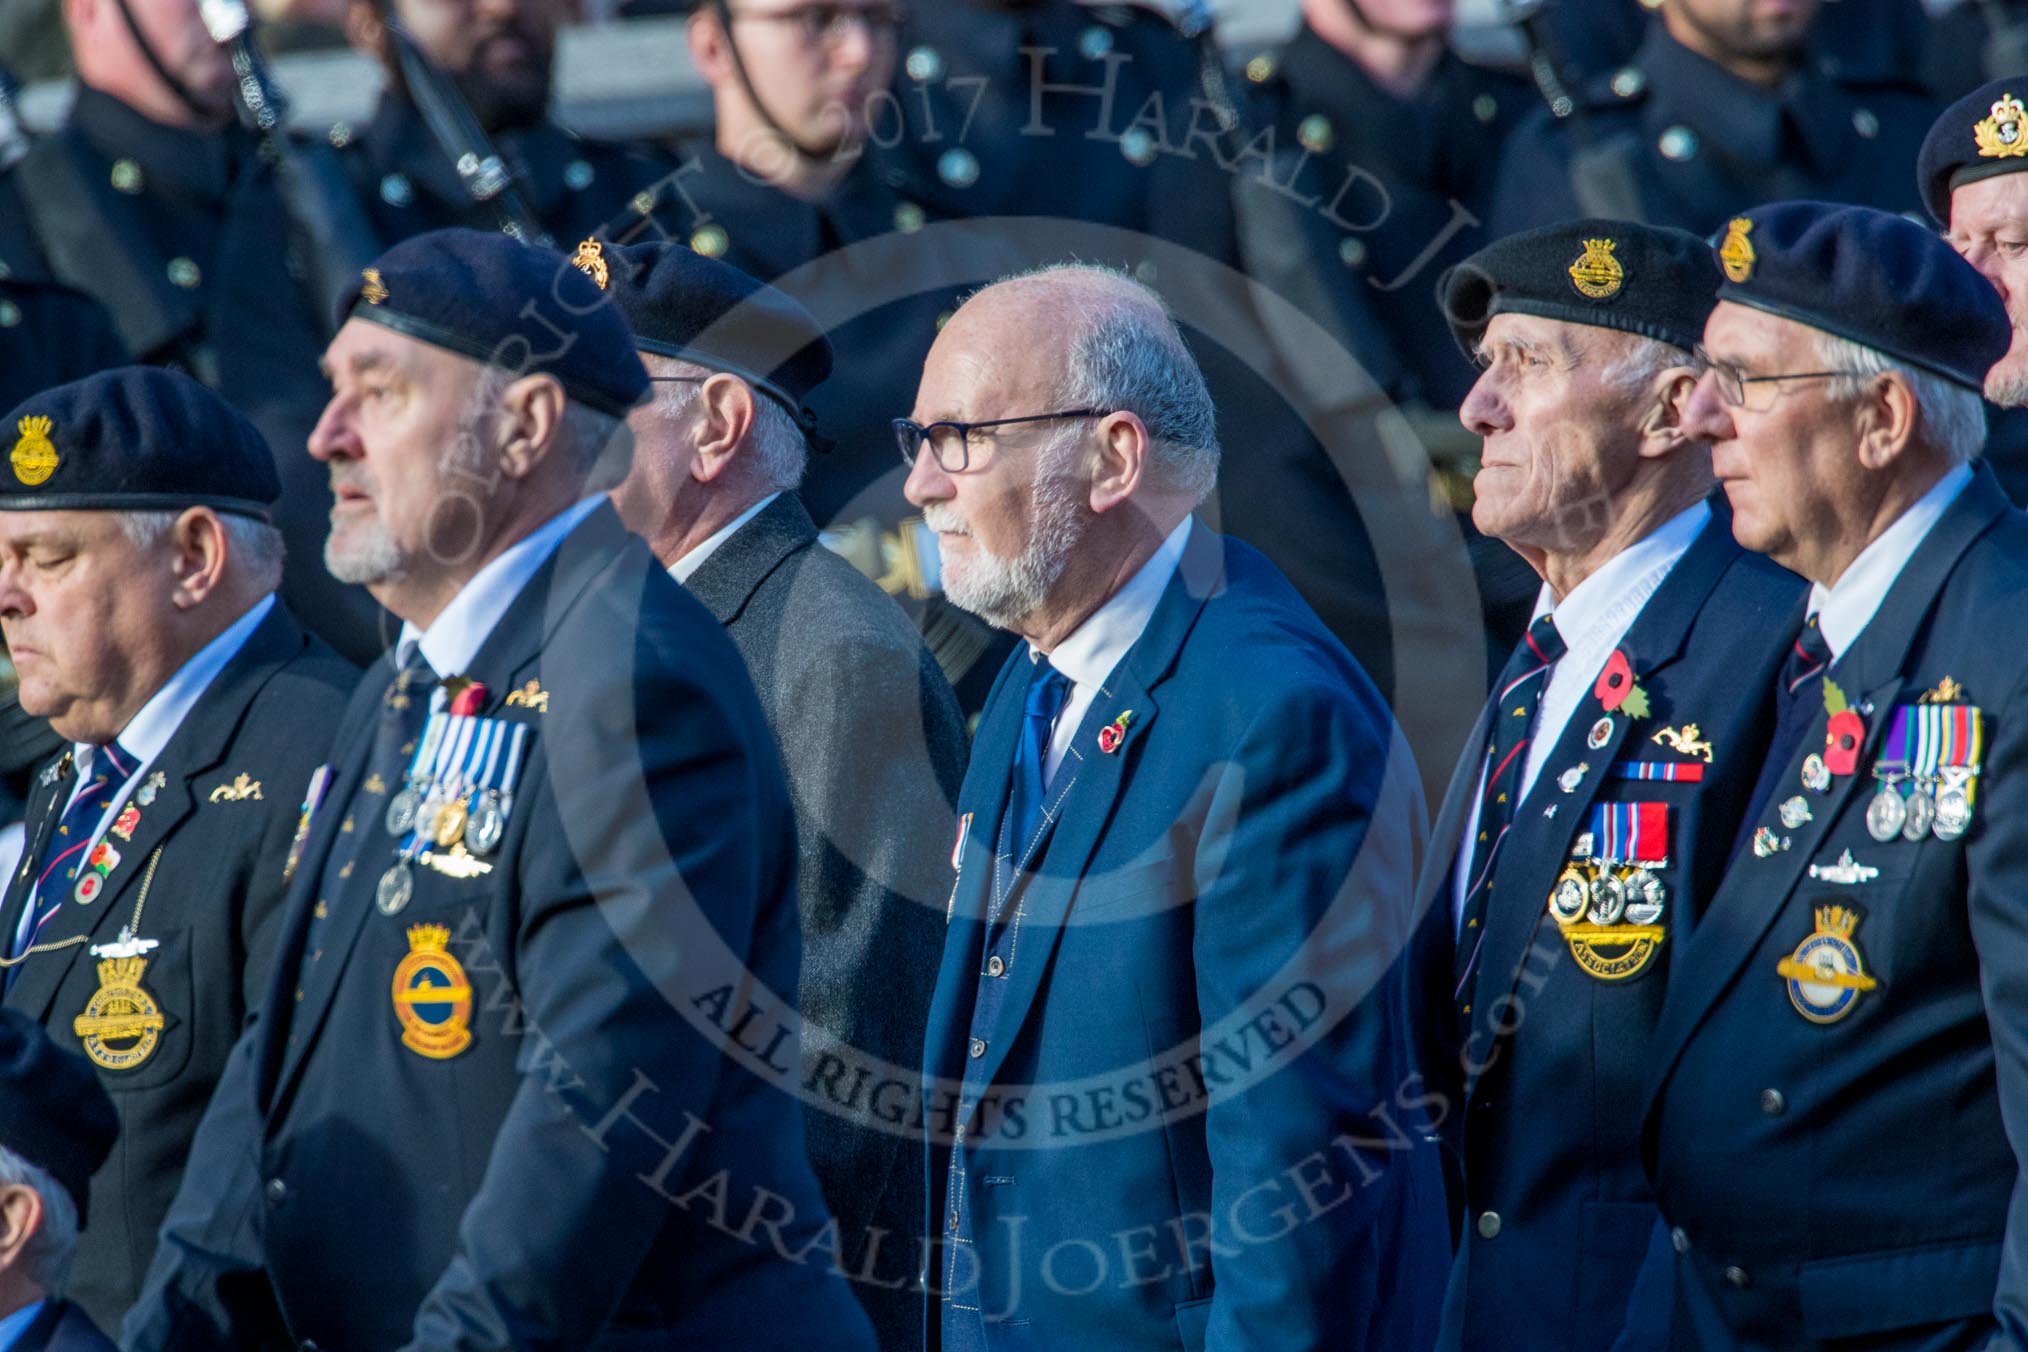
<point x="1591" y="621"/>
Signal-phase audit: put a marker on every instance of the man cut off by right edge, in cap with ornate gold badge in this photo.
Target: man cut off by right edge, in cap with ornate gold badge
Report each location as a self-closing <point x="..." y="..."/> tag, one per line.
<point x="1970" y="190"/>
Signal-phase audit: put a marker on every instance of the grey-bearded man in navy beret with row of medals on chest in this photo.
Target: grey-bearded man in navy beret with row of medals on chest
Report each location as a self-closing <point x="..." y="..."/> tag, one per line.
<point x="516" y="1077"/>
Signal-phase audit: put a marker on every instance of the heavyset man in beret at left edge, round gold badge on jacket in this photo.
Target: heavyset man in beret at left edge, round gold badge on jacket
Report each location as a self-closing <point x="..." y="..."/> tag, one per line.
<point x="137" y="599"/>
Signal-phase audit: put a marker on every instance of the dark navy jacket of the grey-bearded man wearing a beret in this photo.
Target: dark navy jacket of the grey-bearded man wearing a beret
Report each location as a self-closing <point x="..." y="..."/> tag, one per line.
<point x="609" y="1162"/>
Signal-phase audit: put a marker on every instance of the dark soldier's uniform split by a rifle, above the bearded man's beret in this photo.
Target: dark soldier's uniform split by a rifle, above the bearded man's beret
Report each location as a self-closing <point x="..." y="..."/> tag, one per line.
<point x="409" y="185"/>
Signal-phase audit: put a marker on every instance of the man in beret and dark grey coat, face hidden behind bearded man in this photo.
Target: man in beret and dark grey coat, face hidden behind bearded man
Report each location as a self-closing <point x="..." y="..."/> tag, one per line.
<point x="869" y="729"/>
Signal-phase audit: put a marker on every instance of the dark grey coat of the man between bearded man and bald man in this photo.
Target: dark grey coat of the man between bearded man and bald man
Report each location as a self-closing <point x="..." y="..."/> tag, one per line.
<point x="875" y="751"/>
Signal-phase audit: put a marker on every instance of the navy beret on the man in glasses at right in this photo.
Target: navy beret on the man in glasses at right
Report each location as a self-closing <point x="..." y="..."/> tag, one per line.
<point x="1871" y="277"/>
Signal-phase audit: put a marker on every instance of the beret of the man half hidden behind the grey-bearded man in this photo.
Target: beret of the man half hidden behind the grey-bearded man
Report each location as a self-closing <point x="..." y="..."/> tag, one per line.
<point x="697" y="309"/>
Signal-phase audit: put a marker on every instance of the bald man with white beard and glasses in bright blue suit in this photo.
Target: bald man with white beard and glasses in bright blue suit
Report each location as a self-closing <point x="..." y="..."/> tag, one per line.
<point x="1161" y="1087"/>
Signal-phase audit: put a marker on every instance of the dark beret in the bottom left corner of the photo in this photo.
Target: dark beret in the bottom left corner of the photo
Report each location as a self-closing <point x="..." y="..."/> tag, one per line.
<point x="54" y="1112"/>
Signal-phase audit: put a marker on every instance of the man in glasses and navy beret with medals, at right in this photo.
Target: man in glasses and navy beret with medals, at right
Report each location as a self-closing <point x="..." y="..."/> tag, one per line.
<point x="1838" y="1083"/>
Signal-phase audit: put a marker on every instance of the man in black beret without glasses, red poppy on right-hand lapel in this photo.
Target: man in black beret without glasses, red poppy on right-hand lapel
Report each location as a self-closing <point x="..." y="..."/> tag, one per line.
<point x="1601" y="792"/>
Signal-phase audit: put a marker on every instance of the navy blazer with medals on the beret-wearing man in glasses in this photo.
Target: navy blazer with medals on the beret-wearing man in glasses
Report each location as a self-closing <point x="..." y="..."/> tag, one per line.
<point x="1838" y="1173"/>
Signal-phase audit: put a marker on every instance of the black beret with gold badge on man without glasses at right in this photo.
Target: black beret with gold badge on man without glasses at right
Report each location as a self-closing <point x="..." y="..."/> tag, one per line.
<point x="1648" y="281"/>
